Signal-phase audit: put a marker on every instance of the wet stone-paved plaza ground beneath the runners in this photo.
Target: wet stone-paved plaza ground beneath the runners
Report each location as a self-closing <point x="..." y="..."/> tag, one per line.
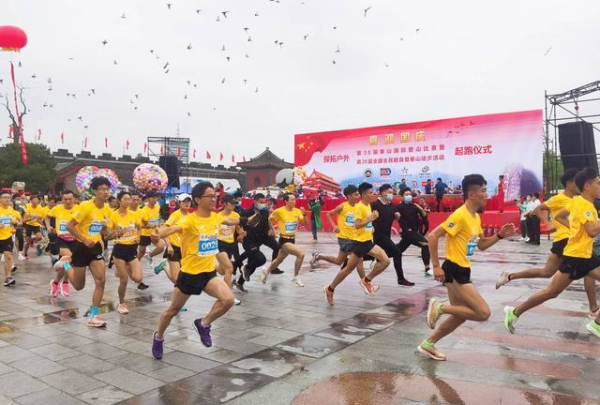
<point x="285" y="345"/>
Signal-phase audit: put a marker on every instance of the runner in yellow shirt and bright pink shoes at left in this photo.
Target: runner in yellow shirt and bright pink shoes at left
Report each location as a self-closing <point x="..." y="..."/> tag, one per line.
<point x="61" y="215"/>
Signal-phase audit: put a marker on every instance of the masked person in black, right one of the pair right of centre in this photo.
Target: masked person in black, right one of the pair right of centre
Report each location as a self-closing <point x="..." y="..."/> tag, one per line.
<point x="410" y="224"/>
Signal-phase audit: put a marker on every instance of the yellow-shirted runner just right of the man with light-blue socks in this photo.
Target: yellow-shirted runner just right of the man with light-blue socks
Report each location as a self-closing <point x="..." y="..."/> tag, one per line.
<point x="125" y="228"/>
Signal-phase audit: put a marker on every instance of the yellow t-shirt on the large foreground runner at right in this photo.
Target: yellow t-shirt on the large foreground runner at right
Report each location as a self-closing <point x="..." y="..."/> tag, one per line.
<point x="463" y="231"/>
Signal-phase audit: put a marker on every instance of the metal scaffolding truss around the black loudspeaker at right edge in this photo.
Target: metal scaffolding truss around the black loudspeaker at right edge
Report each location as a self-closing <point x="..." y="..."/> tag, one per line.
<point x="563" y="108"/>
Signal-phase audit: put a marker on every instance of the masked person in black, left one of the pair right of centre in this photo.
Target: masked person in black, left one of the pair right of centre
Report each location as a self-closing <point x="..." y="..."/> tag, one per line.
<point x="388" y="213"/>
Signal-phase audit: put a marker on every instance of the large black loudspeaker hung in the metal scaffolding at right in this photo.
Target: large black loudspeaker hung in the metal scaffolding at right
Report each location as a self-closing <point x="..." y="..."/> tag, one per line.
<point x="577" y="146"/>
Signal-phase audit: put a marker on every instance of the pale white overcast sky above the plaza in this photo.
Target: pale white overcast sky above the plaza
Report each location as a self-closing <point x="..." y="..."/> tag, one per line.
<point x="468" y="58"/>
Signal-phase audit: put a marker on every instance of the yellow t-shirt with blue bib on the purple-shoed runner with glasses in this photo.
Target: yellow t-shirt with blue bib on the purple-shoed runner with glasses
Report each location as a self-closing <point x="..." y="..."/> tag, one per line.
<point x="199" y="243"/>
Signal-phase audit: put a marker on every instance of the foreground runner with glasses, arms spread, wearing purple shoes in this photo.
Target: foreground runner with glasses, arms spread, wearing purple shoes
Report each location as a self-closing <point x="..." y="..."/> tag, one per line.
<point x="199" y="247"/>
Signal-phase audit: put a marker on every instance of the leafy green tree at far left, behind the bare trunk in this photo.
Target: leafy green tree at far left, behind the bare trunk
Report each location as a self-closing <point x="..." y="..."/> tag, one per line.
<point x="40" y="172"/>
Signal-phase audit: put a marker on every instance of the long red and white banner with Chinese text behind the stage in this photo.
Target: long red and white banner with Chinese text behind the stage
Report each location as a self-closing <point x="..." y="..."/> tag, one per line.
<point x="510" y="144"/>
